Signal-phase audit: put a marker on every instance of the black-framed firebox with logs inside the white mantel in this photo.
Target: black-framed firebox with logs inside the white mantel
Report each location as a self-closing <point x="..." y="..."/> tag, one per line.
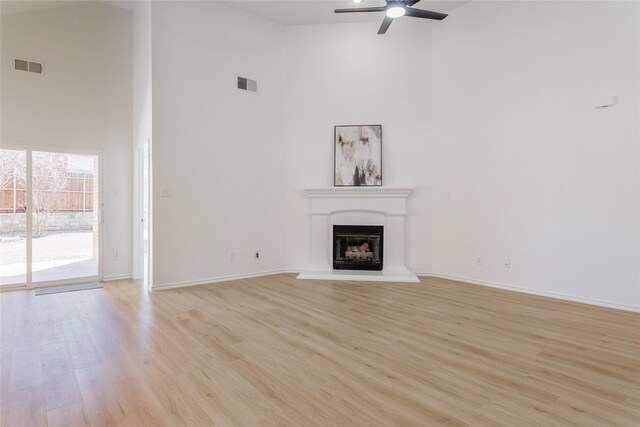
<point x="358" y="247"/>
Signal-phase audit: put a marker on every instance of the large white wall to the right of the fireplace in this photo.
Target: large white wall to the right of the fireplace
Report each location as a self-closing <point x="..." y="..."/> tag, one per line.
<point x="536" y="174"/>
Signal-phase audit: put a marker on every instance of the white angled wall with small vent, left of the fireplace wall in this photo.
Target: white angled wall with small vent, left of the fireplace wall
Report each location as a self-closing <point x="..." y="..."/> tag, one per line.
<point x="217" y="151"/>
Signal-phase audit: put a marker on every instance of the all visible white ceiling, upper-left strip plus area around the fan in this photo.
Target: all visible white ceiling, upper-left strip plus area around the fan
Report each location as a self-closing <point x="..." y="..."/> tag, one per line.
<point x="288" y="12"/>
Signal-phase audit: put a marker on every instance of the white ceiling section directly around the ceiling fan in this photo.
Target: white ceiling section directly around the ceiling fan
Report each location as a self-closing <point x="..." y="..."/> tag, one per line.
<point x="296" y="12"/>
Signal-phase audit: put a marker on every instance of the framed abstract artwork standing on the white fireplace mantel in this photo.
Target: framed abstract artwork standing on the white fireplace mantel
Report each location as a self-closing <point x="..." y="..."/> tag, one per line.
<point x="357" y="155"/>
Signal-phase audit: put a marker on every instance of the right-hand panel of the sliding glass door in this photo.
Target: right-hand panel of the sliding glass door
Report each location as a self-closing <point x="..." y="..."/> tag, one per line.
<point x="64" y="224"/>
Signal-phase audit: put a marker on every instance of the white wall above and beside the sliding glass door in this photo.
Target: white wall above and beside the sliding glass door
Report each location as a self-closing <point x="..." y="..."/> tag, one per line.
<point x="83" y="101"/>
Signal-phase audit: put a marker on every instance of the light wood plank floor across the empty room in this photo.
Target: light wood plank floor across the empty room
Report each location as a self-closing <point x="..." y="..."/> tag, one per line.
<point x="278" y="351"/>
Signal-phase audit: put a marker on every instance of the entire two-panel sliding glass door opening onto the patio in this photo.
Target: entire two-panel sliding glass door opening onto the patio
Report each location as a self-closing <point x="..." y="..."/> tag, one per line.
<point x="50" y="234"/>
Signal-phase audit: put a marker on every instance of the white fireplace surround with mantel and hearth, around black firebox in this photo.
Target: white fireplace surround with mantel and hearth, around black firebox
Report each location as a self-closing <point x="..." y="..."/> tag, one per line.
<point x="386" y="206"/>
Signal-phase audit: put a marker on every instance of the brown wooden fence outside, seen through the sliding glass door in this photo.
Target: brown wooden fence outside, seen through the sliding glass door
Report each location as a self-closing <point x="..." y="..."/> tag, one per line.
<point x="77" y="195"/>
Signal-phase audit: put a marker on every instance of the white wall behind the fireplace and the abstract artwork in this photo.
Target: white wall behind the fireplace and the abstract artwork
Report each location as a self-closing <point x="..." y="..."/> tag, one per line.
<point x="347" y="74"/>
